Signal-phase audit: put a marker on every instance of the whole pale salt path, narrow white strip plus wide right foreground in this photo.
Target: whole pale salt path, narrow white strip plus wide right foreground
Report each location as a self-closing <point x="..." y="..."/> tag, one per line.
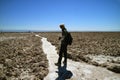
<point x="75" y="70"/>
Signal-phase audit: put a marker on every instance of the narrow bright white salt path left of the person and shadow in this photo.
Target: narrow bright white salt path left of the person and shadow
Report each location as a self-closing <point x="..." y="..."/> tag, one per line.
<point x="52" y="58"/>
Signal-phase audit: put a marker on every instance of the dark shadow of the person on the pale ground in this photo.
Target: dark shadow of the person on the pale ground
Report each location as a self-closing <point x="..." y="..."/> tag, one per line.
<point x="63" y="73"/>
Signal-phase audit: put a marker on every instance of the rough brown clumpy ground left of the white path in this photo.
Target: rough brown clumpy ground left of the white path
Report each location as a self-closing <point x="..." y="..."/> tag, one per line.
<point x="22" y="58"/>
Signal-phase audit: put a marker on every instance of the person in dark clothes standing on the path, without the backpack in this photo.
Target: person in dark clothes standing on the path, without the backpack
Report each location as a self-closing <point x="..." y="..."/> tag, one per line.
<point x="63" y="47"/>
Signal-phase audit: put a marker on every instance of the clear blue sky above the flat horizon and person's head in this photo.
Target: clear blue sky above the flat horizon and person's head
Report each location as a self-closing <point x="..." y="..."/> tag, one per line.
<point x="77" y="15"/>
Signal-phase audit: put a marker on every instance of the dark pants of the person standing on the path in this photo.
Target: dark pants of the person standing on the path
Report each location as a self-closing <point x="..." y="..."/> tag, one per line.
<point x="63" y="49"/>
